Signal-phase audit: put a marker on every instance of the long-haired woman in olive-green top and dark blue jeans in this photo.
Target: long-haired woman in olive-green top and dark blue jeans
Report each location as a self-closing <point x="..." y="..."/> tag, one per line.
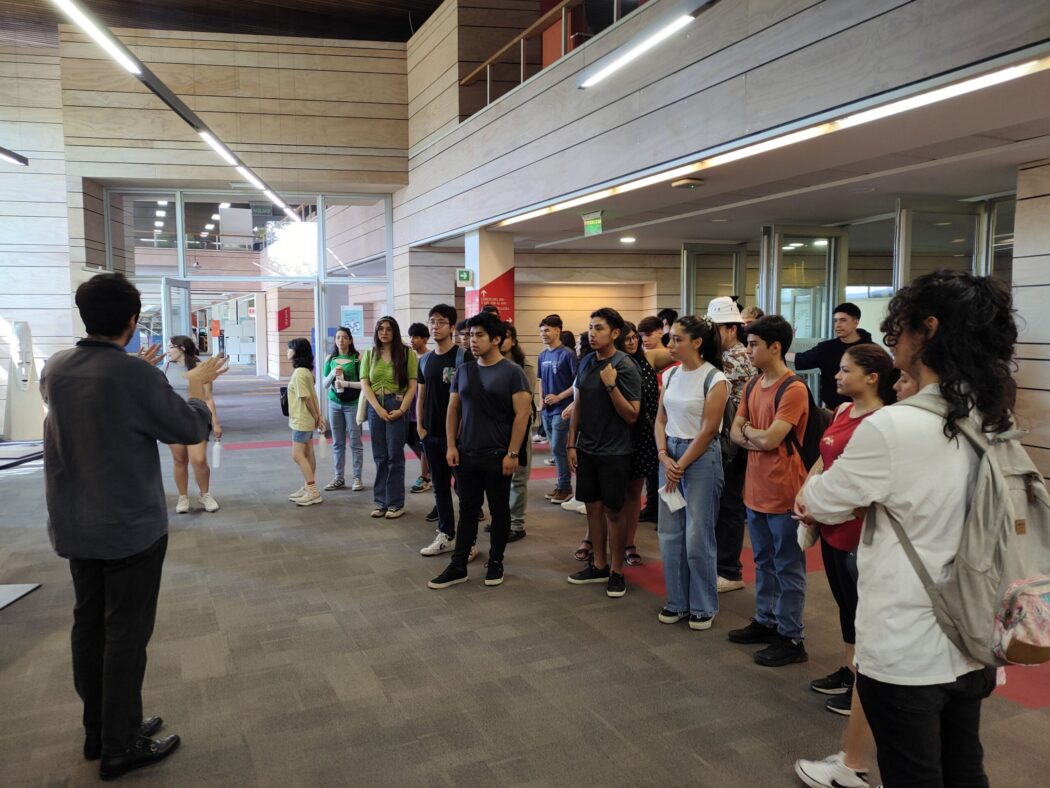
<point x="389" y="385"/>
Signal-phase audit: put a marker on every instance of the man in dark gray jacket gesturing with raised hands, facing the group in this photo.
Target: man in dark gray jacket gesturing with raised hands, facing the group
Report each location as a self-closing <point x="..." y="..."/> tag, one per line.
<point x="108" y="511"/>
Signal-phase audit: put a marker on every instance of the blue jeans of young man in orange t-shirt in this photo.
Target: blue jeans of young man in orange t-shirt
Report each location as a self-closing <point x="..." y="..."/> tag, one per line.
<point x="780" y="572"/>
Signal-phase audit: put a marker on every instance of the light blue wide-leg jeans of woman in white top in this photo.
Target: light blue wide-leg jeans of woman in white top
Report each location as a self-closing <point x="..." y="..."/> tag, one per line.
<point x="687" y="537"/>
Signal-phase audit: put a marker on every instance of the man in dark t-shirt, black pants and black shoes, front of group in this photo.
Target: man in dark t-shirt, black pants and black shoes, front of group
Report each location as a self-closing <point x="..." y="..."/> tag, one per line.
<point x="489" y="411"/>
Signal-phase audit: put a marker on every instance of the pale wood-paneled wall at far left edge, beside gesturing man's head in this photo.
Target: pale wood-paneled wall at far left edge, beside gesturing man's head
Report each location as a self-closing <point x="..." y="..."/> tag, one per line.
<point x="35" y="284"/>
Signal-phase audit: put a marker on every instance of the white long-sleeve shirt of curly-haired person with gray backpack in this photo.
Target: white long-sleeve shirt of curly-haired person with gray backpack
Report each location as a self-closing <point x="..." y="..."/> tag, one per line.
<point x="900" y="459"/>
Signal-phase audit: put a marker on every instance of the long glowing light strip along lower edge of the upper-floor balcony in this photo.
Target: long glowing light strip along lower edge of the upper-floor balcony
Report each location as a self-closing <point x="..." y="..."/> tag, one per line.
<point x="792" y="138"/>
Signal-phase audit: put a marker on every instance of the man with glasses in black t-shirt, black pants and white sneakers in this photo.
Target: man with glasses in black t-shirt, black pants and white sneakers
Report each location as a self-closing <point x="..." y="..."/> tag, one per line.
<point x="436" y="370"/>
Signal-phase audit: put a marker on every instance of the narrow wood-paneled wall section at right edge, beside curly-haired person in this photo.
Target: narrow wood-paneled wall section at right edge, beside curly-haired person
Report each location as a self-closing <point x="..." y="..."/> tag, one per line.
<point x="1032" y="295"/>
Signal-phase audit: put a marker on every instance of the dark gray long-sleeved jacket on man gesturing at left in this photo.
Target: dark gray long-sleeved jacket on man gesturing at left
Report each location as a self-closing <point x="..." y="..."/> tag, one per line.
<point x="102" y="472"/>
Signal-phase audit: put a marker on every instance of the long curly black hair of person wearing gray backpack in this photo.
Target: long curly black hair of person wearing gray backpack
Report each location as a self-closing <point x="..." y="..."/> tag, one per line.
<point x="973" y="348"/>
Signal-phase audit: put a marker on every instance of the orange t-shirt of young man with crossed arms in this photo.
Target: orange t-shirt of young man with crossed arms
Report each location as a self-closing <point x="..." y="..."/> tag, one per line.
<point x="775" y="478"/>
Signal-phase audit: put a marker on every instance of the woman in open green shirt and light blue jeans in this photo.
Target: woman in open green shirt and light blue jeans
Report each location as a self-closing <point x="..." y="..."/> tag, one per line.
<point x="343" y="383"/>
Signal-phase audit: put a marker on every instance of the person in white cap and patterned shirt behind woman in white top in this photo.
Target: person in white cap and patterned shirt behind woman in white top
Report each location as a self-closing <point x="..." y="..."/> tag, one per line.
<point x="729" y="530"/>
